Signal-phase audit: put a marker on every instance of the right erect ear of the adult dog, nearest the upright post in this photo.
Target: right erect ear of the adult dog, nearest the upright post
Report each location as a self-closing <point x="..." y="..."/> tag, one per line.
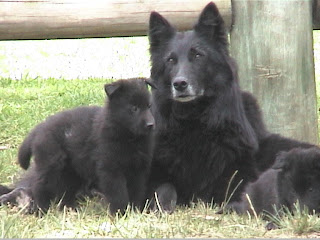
<point x="210" y="23"/>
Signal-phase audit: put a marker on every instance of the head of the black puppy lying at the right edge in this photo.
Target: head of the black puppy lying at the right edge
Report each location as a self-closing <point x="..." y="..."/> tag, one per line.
<point x="299" y="178"/>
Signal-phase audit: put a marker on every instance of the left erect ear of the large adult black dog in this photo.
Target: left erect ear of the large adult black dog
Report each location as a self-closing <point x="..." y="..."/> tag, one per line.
<point x="160" y="30"/>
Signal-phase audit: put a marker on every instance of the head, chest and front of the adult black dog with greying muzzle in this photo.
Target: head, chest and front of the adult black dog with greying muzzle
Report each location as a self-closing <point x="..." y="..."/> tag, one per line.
<point x="203" y="136"/>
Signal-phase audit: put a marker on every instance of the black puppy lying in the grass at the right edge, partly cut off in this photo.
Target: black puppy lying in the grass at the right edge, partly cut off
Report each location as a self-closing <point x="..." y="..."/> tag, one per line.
<point x="295" y="177"/>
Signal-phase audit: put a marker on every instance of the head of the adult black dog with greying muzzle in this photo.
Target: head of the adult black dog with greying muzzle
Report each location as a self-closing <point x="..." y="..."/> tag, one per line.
<point x="190" y="64"/>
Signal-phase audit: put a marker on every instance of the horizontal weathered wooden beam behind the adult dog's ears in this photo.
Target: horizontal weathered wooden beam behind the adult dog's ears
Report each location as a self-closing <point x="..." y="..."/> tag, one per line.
<point x="52" y="19"/>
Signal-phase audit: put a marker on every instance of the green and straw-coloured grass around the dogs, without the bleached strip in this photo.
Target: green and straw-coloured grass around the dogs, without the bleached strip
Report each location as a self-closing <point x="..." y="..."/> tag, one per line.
<point x="26" y="102"/>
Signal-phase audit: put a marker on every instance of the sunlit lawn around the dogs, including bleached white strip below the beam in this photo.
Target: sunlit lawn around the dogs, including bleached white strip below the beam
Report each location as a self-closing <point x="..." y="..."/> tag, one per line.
<point x="38" y="80"/>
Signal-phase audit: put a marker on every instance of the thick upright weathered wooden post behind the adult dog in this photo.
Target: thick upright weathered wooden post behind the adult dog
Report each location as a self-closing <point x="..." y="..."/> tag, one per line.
<point x="272" y="43"/>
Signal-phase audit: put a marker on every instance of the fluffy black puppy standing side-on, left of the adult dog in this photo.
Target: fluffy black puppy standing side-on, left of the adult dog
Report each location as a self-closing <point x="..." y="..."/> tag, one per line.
<point x="105" y="148"/>
